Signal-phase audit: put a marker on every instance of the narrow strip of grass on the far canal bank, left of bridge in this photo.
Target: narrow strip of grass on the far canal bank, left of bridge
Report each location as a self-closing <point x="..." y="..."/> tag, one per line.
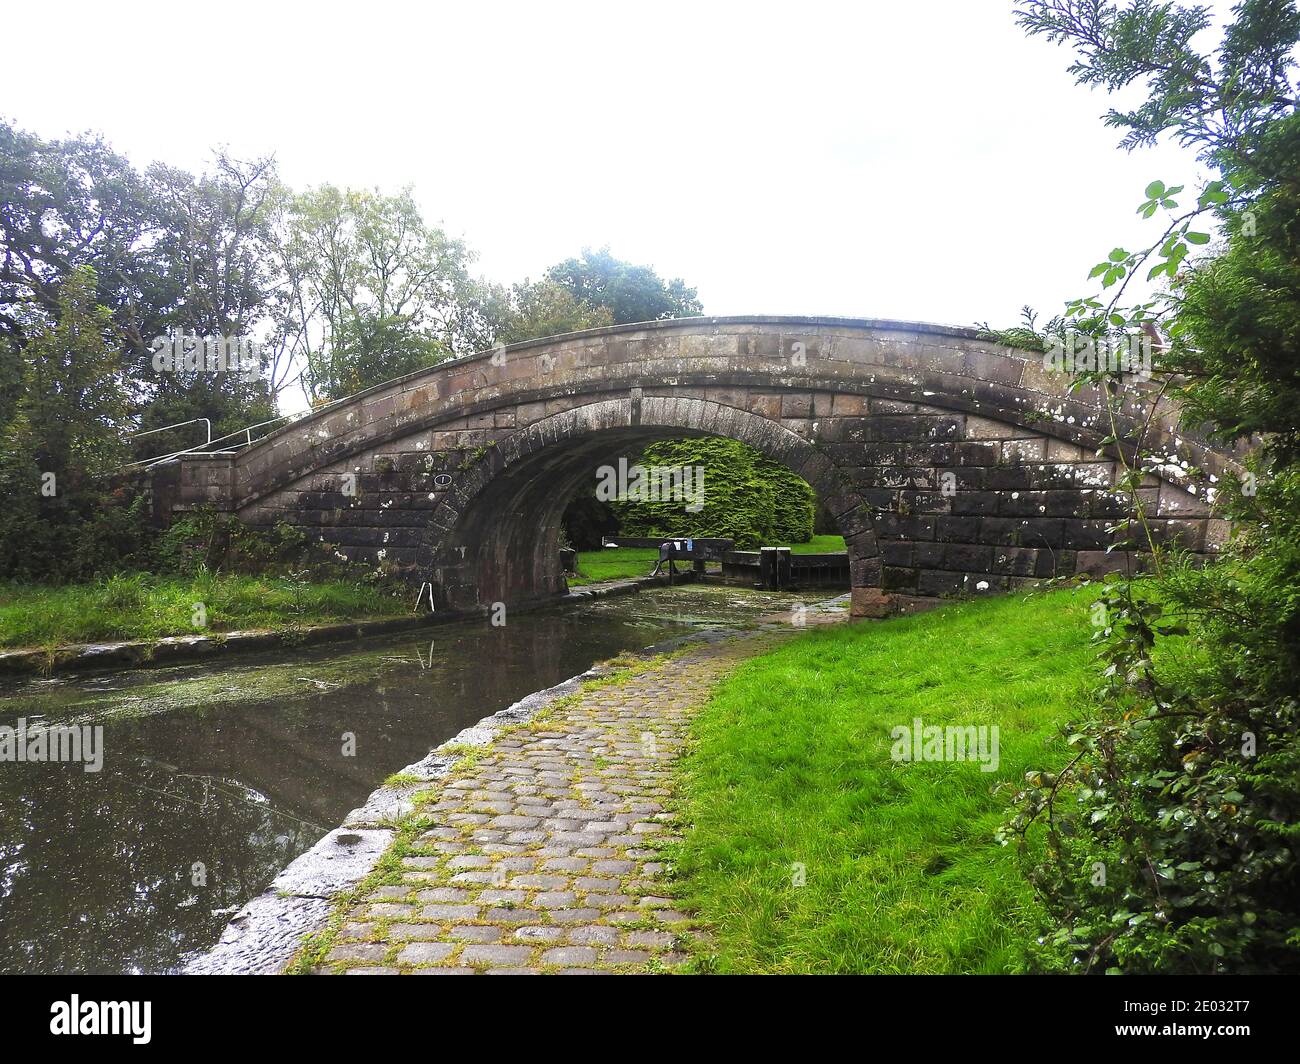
<point x="146" y="607"/>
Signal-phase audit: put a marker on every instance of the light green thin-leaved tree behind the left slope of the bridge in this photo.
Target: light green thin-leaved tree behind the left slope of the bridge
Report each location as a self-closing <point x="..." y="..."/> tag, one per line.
<point x="365" y="269"/>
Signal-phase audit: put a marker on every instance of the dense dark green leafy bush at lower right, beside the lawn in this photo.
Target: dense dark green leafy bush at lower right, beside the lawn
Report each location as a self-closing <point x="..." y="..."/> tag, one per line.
<point x="1172" y="838"/>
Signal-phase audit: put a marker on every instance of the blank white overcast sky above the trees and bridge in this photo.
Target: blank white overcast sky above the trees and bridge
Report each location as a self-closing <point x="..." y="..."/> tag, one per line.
<point x="887" y="159"/>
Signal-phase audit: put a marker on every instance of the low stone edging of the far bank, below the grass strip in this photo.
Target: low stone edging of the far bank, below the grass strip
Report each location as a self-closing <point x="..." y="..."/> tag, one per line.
<point x="184" y="650"/>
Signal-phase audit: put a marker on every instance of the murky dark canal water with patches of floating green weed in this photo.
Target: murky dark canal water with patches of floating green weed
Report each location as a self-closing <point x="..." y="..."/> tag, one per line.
<point x="215" y="777"/>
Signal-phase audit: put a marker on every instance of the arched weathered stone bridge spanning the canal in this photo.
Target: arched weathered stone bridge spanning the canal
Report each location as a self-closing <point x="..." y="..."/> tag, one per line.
<point x="951" y="464"/>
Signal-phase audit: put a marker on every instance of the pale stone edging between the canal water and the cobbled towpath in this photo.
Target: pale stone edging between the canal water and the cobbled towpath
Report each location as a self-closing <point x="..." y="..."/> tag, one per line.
<point x="266" y="935"/>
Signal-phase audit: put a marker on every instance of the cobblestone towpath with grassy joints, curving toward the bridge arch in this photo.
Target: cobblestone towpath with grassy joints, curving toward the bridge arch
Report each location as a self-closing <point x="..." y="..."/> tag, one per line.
<point x="545" y="855"/>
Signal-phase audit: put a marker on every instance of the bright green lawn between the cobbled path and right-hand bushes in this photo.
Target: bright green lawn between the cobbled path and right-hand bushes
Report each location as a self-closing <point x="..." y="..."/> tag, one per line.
<point x="791" y="763"/>
